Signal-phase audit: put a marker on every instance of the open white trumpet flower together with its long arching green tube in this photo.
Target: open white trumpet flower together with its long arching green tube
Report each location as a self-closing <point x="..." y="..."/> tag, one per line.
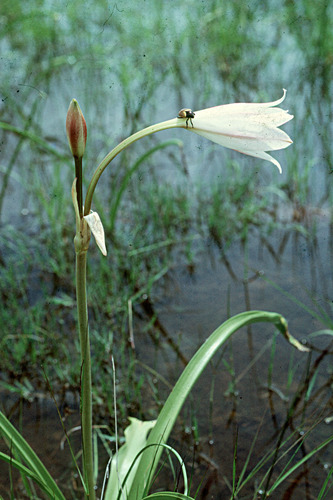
<point x="249" y="128"/>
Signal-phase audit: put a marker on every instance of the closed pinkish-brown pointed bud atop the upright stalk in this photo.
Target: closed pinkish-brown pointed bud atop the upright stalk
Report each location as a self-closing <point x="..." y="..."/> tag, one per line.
<point x="76" y="129"/>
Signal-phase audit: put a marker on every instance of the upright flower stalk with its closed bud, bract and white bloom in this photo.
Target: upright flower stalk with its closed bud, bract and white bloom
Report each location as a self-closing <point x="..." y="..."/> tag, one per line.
<point x="251" y="129"/>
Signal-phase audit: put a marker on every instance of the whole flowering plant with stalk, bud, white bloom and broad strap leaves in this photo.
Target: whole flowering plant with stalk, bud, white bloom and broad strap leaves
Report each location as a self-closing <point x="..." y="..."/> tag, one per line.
<point x="249" y="128"/>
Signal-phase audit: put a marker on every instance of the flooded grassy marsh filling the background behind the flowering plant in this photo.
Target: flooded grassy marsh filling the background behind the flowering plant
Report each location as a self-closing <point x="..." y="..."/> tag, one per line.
<point x="195" y="234"/>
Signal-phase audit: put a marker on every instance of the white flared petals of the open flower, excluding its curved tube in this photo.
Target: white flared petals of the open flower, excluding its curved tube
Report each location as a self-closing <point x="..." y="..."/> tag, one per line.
<point x="249" y="128"/>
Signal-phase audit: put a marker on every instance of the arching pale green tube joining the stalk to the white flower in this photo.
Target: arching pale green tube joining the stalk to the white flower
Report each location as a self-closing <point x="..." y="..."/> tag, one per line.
<point x="174" y="123"/>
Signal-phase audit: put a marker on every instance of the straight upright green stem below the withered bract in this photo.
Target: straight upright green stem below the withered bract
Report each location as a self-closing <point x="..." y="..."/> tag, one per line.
<point x="86" y="401"/>
